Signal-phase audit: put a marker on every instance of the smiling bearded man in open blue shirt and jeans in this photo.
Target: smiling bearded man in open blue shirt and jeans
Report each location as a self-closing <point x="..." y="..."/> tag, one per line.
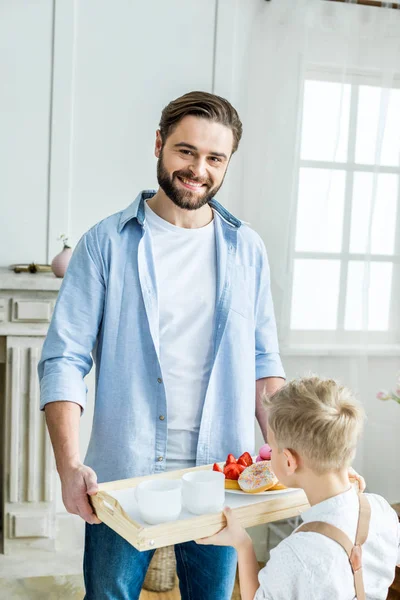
<point x="172" y="297"/>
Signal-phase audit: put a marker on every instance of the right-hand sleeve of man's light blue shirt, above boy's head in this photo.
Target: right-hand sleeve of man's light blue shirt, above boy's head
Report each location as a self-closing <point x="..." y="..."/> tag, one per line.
<point x="268" y="361"/>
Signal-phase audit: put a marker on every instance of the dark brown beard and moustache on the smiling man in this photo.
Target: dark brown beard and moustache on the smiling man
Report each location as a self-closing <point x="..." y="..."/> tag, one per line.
<point x="185" y="199"/>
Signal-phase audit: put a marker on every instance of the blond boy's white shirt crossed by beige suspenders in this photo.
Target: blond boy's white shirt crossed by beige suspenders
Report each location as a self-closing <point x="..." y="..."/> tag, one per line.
<point x="310" y="566"/>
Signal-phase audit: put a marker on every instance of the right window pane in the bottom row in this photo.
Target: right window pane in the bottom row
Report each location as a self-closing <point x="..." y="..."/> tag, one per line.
<point x="368" y="296"/>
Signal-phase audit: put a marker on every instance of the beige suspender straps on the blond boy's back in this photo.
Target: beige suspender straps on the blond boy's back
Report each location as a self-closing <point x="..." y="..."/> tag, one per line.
<point x="353" y="551"/>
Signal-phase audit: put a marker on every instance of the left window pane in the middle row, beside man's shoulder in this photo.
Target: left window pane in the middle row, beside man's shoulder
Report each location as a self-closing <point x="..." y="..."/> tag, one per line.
<point x="320" y="210"/>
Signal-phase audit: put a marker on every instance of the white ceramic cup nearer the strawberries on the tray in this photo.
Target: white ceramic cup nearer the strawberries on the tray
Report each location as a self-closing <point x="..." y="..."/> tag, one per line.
<point x="203" y="492"/>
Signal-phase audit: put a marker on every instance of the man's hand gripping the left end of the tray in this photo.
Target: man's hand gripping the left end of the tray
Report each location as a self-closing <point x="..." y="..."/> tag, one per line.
<point x="77" y="483"/>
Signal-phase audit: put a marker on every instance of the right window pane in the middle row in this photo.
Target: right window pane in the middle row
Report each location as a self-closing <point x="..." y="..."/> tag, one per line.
<point x="376" y="235"/>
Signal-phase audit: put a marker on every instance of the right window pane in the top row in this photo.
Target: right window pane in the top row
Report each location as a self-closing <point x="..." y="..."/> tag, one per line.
<point x="378" y="113"/>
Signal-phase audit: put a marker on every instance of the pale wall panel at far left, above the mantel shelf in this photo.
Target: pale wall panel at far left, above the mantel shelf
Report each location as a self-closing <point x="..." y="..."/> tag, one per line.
<point x="25" y="67"/>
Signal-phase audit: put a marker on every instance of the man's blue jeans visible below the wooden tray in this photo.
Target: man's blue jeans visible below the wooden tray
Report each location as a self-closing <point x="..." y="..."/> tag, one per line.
<point x="115" y="570"/>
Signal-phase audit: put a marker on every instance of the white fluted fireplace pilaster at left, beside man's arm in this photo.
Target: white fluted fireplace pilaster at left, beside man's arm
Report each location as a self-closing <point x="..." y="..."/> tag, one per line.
<point x="29" y="465"/>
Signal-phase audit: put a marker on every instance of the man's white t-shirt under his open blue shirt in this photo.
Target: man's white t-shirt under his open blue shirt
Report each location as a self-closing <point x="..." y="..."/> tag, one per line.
<point x="185" y="263"/>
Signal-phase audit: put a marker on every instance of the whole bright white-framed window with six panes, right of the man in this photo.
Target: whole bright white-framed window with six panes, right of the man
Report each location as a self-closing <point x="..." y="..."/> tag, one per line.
<point x="347" y="232"/>
